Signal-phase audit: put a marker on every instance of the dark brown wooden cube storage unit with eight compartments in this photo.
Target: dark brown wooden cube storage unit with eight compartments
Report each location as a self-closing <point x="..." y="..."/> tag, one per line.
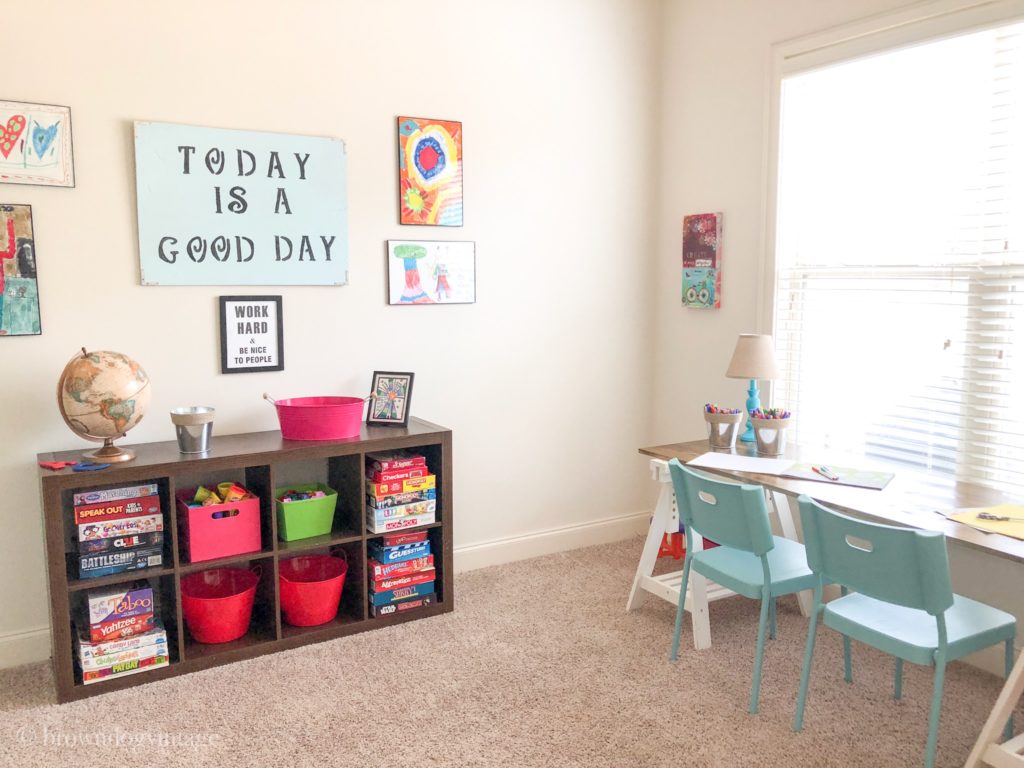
<point x="251" y="460"/>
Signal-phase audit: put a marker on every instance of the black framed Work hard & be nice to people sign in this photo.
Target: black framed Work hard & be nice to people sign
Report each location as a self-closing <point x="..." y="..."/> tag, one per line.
<point x="251" y="337"/>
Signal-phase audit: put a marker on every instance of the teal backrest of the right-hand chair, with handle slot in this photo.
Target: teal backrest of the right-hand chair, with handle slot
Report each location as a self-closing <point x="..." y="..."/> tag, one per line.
<point x="905" y="567"/>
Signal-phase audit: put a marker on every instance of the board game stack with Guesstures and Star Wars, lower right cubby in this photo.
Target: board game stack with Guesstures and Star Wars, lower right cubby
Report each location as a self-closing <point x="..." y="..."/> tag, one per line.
<point x="402" y="574"/>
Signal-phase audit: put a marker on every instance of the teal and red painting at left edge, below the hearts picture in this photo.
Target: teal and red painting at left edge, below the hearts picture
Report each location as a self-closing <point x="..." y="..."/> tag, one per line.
<point x="19" y="291"/>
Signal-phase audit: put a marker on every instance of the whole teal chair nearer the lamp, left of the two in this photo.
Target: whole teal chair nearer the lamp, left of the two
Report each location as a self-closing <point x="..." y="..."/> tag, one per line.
<point x="750" y="561"/>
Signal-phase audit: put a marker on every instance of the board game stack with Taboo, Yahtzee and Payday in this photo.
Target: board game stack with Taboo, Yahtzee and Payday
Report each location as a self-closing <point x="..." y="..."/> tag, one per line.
<point x="122" y="635"/>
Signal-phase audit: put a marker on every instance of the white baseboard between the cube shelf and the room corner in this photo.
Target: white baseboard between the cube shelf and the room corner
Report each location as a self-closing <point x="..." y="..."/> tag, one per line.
<point x="473" y="557"/>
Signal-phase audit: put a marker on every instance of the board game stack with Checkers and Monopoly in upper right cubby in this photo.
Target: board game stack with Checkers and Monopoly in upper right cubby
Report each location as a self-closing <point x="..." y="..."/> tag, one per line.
<point x="401" y="492"/>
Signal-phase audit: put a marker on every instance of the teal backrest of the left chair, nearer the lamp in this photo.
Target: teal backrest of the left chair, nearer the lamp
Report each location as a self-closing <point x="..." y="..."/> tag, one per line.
<point x="729" y="514"/>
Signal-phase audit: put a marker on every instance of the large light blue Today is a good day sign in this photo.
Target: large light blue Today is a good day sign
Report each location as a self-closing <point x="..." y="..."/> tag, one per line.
<point x="221" y="207"/>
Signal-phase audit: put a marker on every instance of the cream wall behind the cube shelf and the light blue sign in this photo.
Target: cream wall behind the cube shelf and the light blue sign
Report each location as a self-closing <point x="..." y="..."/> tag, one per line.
<point x="545" y="380"/>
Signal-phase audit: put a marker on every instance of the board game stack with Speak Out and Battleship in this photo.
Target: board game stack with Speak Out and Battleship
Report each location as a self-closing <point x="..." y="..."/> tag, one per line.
<point x="118" y="531"/>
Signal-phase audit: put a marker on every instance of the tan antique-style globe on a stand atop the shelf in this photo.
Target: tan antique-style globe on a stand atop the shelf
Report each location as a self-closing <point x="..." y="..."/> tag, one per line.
<point x="102" y="396"/>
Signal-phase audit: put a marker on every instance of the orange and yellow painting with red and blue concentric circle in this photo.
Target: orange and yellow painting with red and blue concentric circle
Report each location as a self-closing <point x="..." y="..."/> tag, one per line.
<point x="431" y="172"/>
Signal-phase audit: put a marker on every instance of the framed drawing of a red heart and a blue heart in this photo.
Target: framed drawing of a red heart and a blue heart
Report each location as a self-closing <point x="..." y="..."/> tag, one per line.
<point x="35" y="145"/>
